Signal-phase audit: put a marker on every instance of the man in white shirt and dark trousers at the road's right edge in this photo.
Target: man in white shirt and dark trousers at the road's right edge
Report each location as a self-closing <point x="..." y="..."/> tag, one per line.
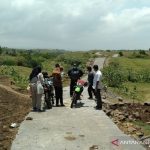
<point x="97" y="86"/>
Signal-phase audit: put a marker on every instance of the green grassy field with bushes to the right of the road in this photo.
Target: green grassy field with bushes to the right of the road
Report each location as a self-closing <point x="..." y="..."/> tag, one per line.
<point x="132" y="76"/>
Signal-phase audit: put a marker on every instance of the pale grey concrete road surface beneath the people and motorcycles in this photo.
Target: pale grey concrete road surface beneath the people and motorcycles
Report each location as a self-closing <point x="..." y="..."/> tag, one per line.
<point x="63" y="128"/>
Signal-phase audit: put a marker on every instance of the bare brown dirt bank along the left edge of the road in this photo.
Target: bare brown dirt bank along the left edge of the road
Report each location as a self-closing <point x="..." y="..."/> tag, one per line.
<point x="13" y="108"/>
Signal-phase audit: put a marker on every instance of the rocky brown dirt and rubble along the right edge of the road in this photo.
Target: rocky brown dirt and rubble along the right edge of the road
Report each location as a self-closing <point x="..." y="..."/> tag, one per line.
<point x="127" y="117"/>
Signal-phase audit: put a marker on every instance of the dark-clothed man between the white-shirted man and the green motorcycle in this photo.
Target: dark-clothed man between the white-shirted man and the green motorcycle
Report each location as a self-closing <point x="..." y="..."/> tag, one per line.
<point x="90" y="82"/>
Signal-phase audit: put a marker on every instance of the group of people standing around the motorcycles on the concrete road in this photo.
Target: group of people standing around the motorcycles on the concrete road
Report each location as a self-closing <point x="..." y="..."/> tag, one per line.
<point x="36" y="77"/>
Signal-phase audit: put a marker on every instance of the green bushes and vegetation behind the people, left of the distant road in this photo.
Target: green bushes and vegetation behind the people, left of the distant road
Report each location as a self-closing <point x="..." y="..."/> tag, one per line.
<point x="24" y="60"/>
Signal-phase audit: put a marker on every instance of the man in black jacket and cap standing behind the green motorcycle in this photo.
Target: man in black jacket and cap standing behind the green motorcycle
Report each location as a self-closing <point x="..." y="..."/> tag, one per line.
<point x="74" y="73"/>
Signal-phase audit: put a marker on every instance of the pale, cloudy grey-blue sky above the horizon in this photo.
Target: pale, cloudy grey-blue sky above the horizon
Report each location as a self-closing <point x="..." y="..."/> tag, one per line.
<point x="75" y="24"/>
